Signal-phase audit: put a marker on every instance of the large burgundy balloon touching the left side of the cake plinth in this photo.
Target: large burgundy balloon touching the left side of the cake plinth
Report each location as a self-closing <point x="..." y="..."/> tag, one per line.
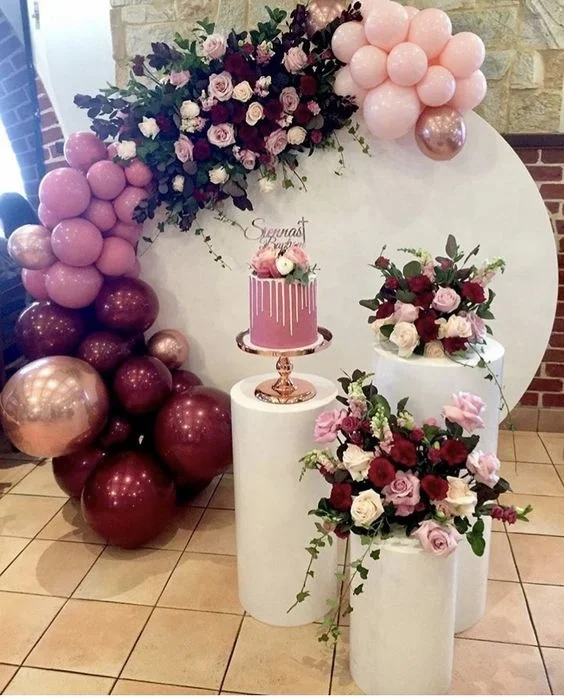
<point x="193" y="435"/>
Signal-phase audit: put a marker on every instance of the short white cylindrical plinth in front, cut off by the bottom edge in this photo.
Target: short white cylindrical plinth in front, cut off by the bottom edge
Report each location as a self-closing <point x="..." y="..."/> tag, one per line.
<point x="402" y="626"/>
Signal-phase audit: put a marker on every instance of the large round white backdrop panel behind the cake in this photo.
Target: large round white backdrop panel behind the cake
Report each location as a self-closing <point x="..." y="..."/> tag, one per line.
<point x="397" y="198"/>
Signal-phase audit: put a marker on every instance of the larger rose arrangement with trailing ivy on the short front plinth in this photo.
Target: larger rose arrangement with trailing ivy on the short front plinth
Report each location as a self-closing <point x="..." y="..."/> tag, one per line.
<point x="393" y="477"/>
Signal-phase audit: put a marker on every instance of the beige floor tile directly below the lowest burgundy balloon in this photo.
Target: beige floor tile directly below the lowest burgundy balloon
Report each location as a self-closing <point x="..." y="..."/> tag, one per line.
<point x="135" y="577"/>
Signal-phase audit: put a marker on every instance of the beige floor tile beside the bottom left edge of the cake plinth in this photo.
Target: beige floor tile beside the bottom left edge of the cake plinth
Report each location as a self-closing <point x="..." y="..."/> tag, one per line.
<point x="204" y="582"/>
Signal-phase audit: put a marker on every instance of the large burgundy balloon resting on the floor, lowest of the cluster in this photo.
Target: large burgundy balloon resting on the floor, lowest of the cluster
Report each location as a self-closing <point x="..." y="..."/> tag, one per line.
<point x="128" y="499"/>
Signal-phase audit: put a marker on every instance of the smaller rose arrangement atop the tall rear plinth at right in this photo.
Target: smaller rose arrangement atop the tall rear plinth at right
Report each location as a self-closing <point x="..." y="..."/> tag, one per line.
<point x="434" y="307"/>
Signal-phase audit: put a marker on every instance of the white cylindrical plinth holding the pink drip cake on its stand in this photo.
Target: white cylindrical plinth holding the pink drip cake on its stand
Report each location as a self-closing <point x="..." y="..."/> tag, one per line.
<point x="271" y="504"/>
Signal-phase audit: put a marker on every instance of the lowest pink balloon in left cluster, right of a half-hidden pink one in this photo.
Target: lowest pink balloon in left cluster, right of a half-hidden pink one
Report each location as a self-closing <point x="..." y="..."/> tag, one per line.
<point x="73" y="287"/>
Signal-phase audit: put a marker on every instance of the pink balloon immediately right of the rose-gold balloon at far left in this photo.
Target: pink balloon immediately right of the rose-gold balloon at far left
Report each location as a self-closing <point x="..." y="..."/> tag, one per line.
<point x="77" y="242"/>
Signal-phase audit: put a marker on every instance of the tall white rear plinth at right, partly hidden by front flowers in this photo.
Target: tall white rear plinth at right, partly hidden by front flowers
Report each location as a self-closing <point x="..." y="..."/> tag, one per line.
<point x="430" y="383"/>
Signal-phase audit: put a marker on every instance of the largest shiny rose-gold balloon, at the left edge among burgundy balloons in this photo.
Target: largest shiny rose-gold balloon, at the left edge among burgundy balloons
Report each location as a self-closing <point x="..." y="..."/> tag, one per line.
<point x="54" y="406"/>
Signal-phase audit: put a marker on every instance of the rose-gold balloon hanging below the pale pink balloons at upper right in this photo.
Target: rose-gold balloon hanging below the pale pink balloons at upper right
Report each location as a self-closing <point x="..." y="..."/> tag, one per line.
<point x="440" y="133"/>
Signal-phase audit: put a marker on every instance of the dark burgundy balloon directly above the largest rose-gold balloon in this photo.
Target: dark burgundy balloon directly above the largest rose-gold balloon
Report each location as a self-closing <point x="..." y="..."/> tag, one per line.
<point x="45" y="329"/>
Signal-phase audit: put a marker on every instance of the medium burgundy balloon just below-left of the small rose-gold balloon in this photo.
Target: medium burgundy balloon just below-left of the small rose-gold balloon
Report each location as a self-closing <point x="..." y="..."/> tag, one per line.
<point x="142" y="384"/>
